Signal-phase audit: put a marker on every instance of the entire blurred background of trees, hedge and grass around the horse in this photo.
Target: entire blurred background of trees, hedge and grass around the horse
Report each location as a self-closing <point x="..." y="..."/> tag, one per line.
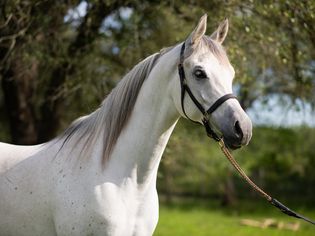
<point x="59" y="59"/>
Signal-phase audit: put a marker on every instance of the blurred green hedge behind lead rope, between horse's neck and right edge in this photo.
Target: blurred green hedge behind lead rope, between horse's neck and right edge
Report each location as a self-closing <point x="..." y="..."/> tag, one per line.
<point x="280" y="160"/>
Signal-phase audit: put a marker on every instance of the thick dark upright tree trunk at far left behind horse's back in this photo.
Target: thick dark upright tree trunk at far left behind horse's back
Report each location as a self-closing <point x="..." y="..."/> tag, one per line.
<point x="19" y="67"/>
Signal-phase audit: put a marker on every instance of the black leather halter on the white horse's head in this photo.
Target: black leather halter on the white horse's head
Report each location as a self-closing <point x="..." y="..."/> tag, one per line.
<point x="211" y="128"/>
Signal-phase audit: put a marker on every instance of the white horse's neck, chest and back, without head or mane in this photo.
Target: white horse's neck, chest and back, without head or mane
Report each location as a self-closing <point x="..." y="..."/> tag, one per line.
<point x="41" y="189"/>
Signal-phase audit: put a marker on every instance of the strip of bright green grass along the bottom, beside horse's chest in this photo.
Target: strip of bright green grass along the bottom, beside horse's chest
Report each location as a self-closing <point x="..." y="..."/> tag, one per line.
<point x="200" y="219"/>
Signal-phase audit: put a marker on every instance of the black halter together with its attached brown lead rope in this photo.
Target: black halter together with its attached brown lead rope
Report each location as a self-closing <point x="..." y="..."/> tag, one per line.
<point x="213" y="132"/>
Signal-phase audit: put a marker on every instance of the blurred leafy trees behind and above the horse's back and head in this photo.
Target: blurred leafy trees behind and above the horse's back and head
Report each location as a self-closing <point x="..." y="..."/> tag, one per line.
<point x="48" y="62"/>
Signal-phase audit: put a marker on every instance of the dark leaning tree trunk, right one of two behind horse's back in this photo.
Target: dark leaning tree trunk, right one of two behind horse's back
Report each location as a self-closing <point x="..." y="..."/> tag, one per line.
<point x="51" y="110"/>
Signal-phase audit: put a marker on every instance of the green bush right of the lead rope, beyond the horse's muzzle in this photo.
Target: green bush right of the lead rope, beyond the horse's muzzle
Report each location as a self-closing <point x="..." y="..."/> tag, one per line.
<point x="282" y="159"/>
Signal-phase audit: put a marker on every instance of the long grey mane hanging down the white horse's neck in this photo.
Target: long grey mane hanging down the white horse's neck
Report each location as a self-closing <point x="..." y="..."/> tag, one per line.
<point x="113" y="114"/>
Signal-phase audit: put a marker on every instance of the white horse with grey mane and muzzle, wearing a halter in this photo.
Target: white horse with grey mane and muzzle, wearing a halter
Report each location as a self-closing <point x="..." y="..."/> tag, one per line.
<point x="99" y="176"/>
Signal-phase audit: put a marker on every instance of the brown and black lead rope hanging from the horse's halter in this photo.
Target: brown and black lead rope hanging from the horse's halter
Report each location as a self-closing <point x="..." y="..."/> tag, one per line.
<point x="271" y="200"/>
